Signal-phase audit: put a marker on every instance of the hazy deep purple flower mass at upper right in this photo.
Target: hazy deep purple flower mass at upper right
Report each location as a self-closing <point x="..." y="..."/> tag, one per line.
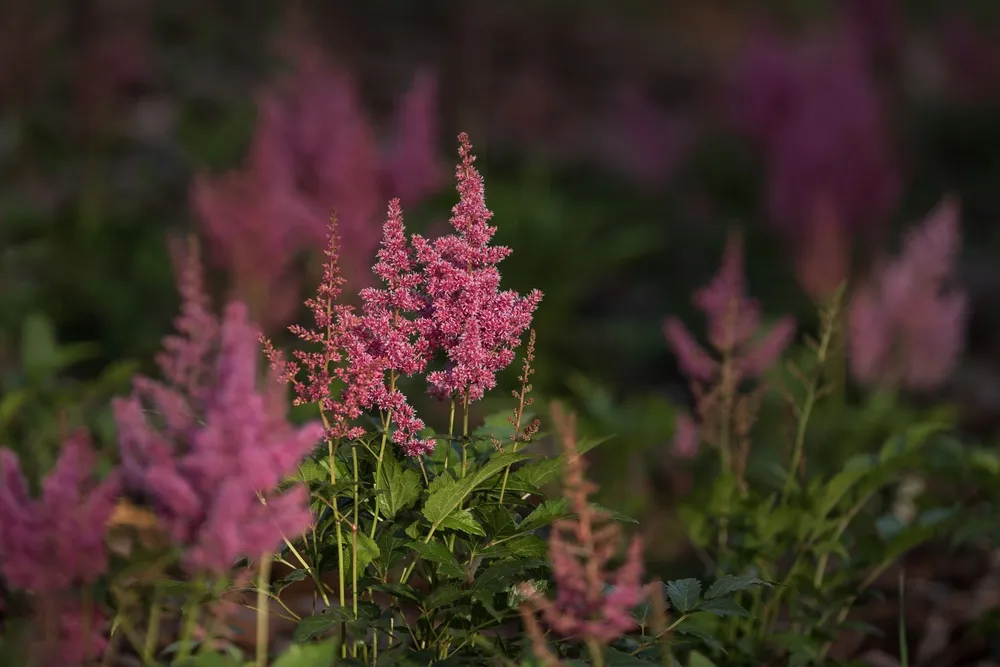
<point x="815" y="111"/>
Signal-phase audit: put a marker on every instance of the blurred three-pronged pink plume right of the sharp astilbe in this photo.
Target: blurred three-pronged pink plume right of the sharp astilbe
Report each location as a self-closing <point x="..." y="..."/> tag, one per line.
<point x="734" y="326"/>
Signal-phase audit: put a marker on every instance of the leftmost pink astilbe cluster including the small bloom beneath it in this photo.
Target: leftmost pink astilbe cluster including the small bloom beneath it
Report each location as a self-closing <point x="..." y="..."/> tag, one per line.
<point x="55" y="543"/>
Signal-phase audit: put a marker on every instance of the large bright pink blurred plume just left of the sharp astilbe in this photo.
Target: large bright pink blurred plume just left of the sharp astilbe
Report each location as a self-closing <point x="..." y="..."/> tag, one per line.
<point x="210" y="454"/>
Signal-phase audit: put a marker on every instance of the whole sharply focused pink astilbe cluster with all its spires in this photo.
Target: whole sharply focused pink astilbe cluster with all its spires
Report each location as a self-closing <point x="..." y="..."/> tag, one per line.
<point x="439" y="297"/>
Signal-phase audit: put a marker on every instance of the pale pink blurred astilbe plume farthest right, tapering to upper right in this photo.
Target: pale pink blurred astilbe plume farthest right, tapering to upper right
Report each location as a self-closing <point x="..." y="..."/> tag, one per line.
<point x="906" y="323"/>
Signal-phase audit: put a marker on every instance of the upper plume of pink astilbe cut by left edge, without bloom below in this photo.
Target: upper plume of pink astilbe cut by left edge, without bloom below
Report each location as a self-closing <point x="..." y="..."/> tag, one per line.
<point x="56" y="541"/>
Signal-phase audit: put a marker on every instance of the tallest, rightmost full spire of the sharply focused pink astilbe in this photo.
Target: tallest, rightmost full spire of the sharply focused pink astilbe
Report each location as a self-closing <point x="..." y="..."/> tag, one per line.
<point x="476" y="325"/>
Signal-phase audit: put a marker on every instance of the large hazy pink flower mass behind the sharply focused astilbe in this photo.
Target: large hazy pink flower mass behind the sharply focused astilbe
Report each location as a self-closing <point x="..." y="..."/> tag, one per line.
<point x="314" y="153"/>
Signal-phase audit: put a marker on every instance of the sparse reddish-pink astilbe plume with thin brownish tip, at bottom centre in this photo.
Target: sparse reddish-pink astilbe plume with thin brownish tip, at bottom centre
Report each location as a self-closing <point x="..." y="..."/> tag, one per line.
<point x="592" y="602"/>
